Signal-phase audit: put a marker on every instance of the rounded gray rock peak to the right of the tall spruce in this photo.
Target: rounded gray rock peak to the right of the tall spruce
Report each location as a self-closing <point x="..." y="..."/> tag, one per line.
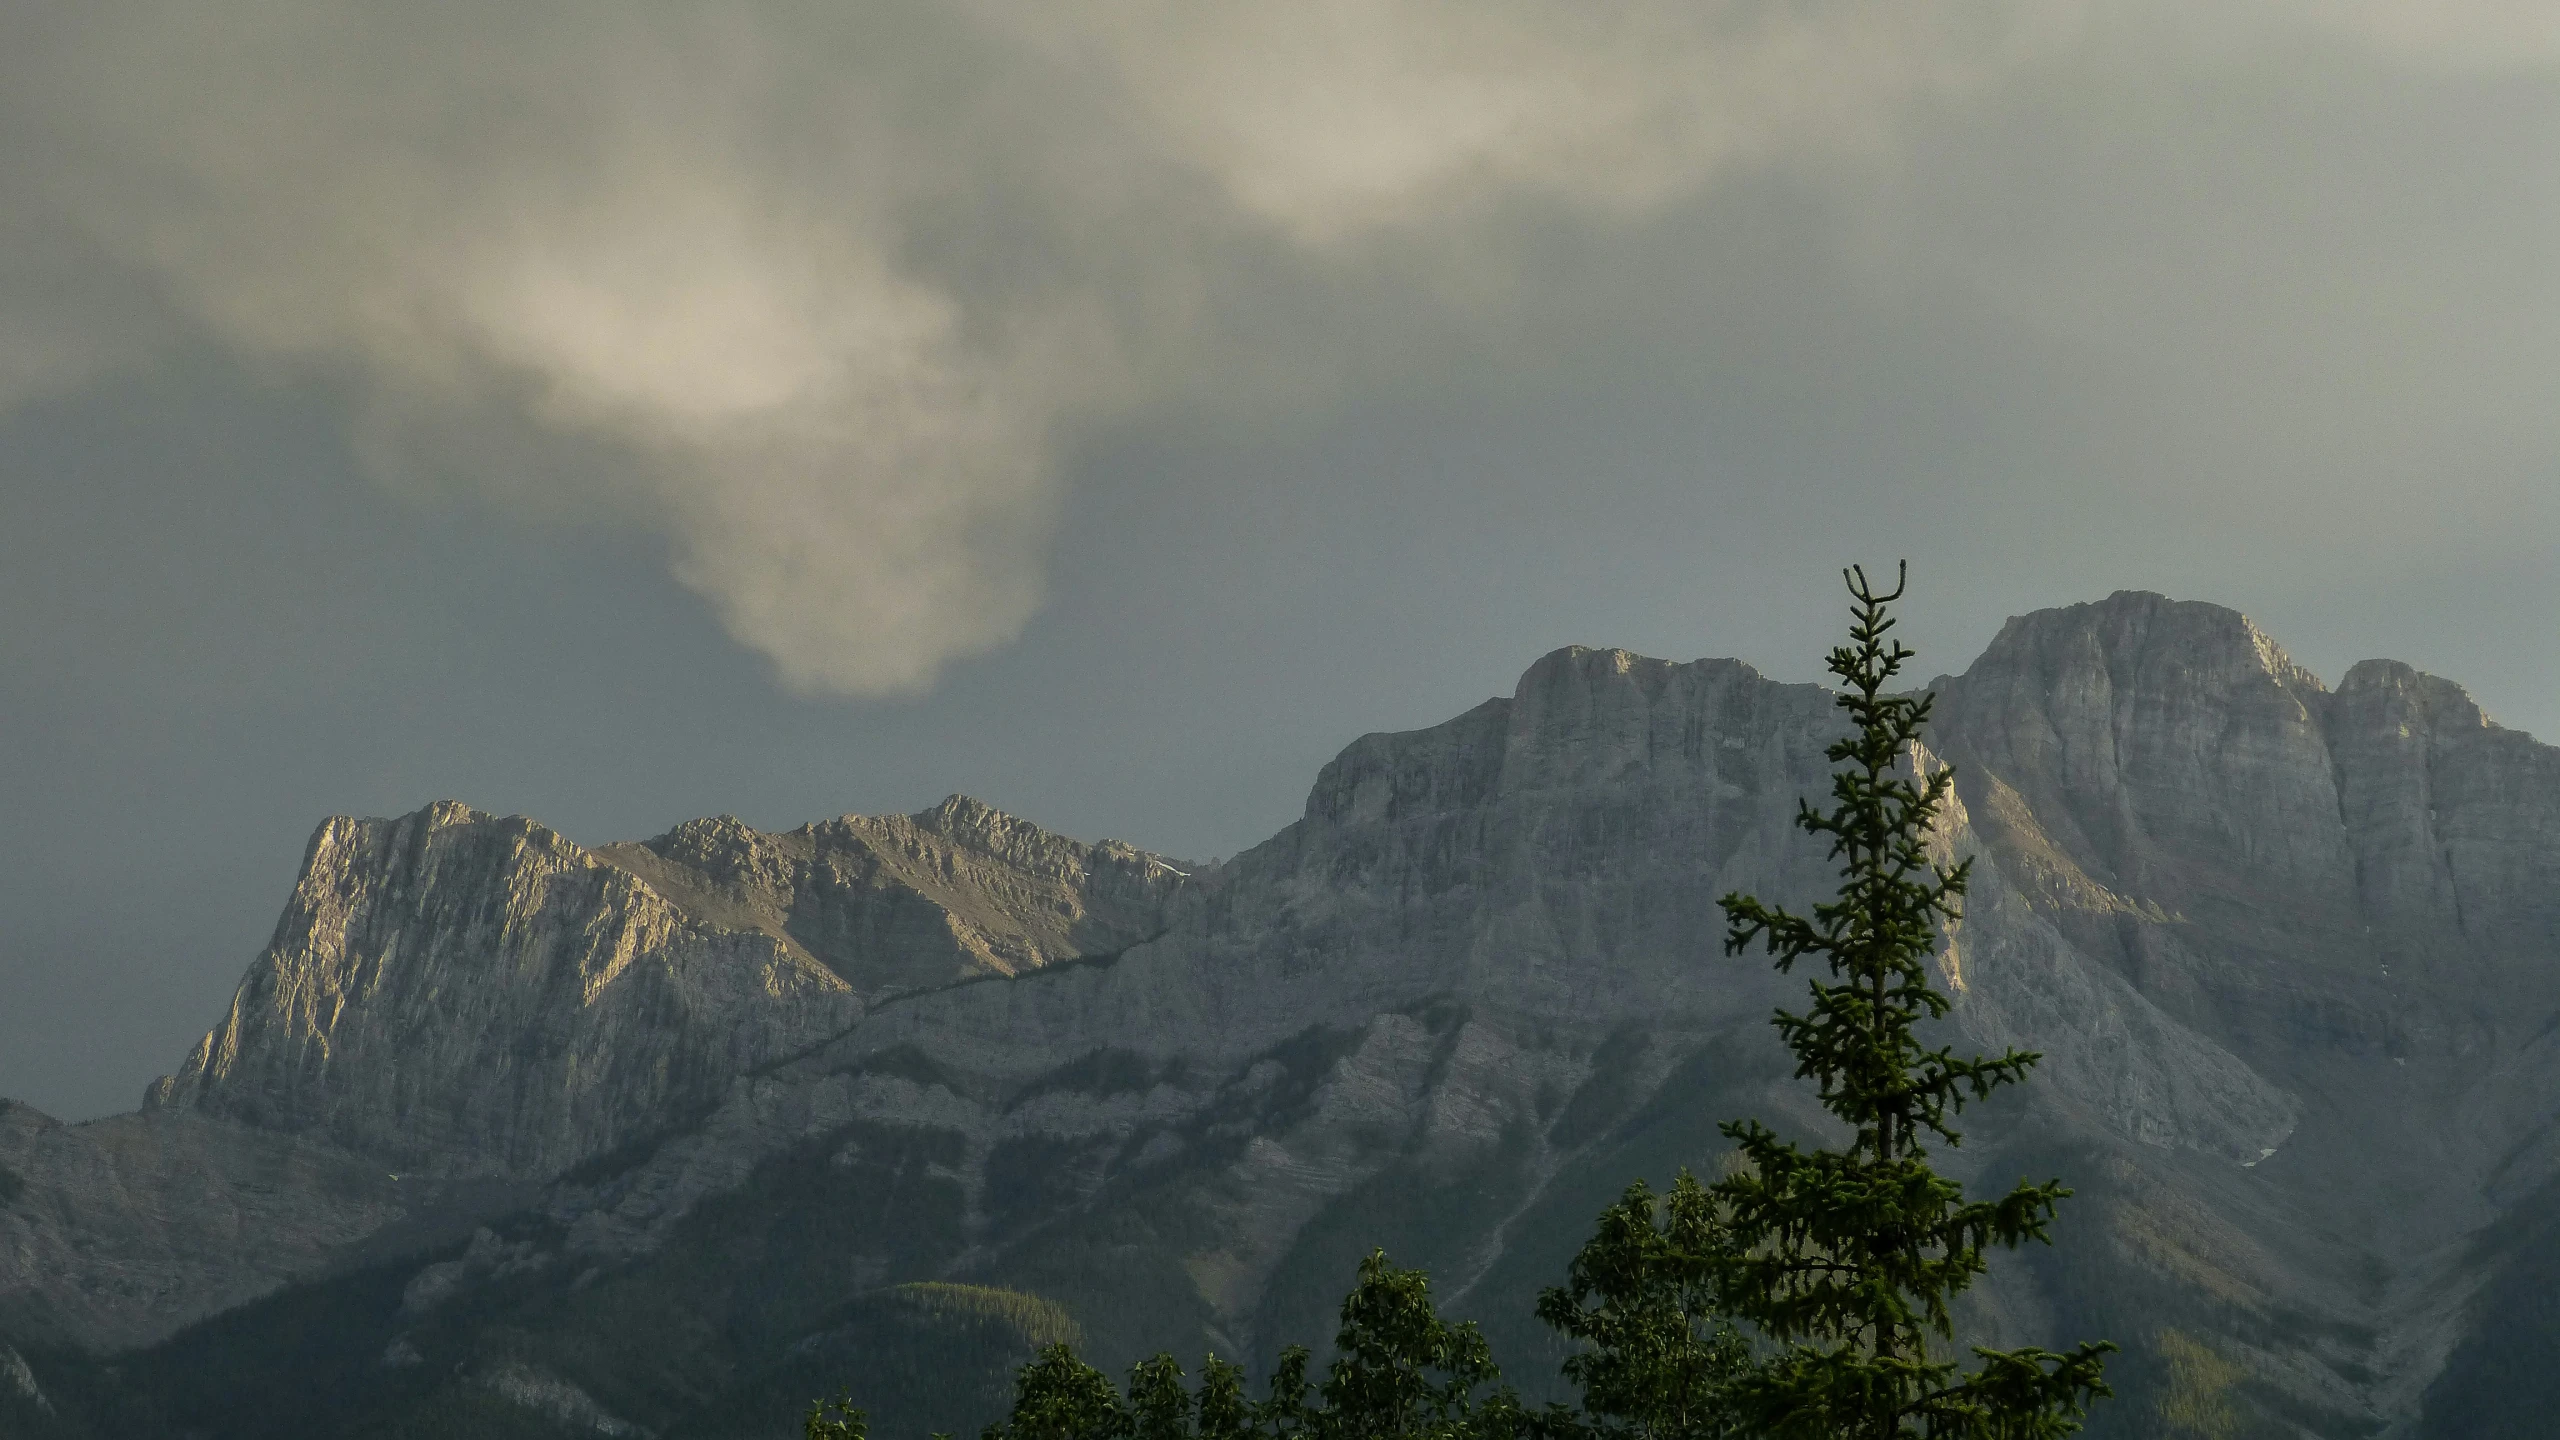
<point x="2356" y="890"/>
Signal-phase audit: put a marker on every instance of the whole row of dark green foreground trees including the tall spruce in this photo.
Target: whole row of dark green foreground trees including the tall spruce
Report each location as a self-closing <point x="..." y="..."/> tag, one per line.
<point x="1796" y="1298"/>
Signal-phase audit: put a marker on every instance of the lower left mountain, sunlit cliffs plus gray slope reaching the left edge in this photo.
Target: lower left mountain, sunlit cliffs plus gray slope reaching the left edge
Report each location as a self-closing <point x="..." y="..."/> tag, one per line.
<point x="457" y="1006"/>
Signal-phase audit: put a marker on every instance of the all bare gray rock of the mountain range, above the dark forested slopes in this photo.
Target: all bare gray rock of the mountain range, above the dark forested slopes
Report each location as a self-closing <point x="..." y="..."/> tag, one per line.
<point x="2290" y="957"/>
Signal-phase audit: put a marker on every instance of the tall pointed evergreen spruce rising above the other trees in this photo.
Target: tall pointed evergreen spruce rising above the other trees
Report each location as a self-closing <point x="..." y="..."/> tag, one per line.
<point x="1844" y="1259"/>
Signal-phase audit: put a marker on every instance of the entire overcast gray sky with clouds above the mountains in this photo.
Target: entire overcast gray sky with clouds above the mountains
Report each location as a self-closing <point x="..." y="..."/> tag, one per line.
<point x="621" y="414"/>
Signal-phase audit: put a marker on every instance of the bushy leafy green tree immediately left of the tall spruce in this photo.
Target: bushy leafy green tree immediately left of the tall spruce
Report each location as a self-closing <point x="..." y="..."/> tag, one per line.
<point x="1658" y="1357"/>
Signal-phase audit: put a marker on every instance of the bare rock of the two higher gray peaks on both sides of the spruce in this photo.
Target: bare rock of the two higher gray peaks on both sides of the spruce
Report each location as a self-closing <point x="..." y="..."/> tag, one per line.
<point x="2172" y="903"/>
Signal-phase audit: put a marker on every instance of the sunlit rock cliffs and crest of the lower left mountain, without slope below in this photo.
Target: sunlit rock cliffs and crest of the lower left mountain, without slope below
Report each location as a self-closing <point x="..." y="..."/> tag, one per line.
<point x="485" y="995"/>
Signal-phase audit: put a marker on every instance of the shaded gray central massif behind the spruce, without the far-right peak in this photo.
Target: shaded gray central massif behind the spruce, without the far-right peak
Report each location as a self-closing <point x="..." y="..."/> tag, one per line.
<point x="1481" y="952"/>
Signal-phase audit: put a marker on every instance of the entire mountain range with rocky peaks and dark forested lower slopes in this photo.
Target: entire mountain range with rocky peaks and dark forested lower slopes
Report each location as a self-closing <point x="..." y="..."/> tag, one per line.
<point x="508" y="1136"/>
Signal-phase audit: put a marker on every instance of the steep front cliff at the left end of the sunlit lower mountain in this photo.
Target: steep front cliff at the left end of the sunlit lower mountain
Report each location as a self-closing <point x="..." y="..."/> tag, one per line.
<point x="483" y="995"/>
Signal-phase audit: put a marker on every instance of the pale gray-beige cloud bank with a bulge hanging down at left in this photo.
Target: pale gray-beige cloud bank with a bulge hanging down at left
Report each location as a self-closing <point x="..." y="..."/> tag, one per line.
<point x="826" y="296"/>
